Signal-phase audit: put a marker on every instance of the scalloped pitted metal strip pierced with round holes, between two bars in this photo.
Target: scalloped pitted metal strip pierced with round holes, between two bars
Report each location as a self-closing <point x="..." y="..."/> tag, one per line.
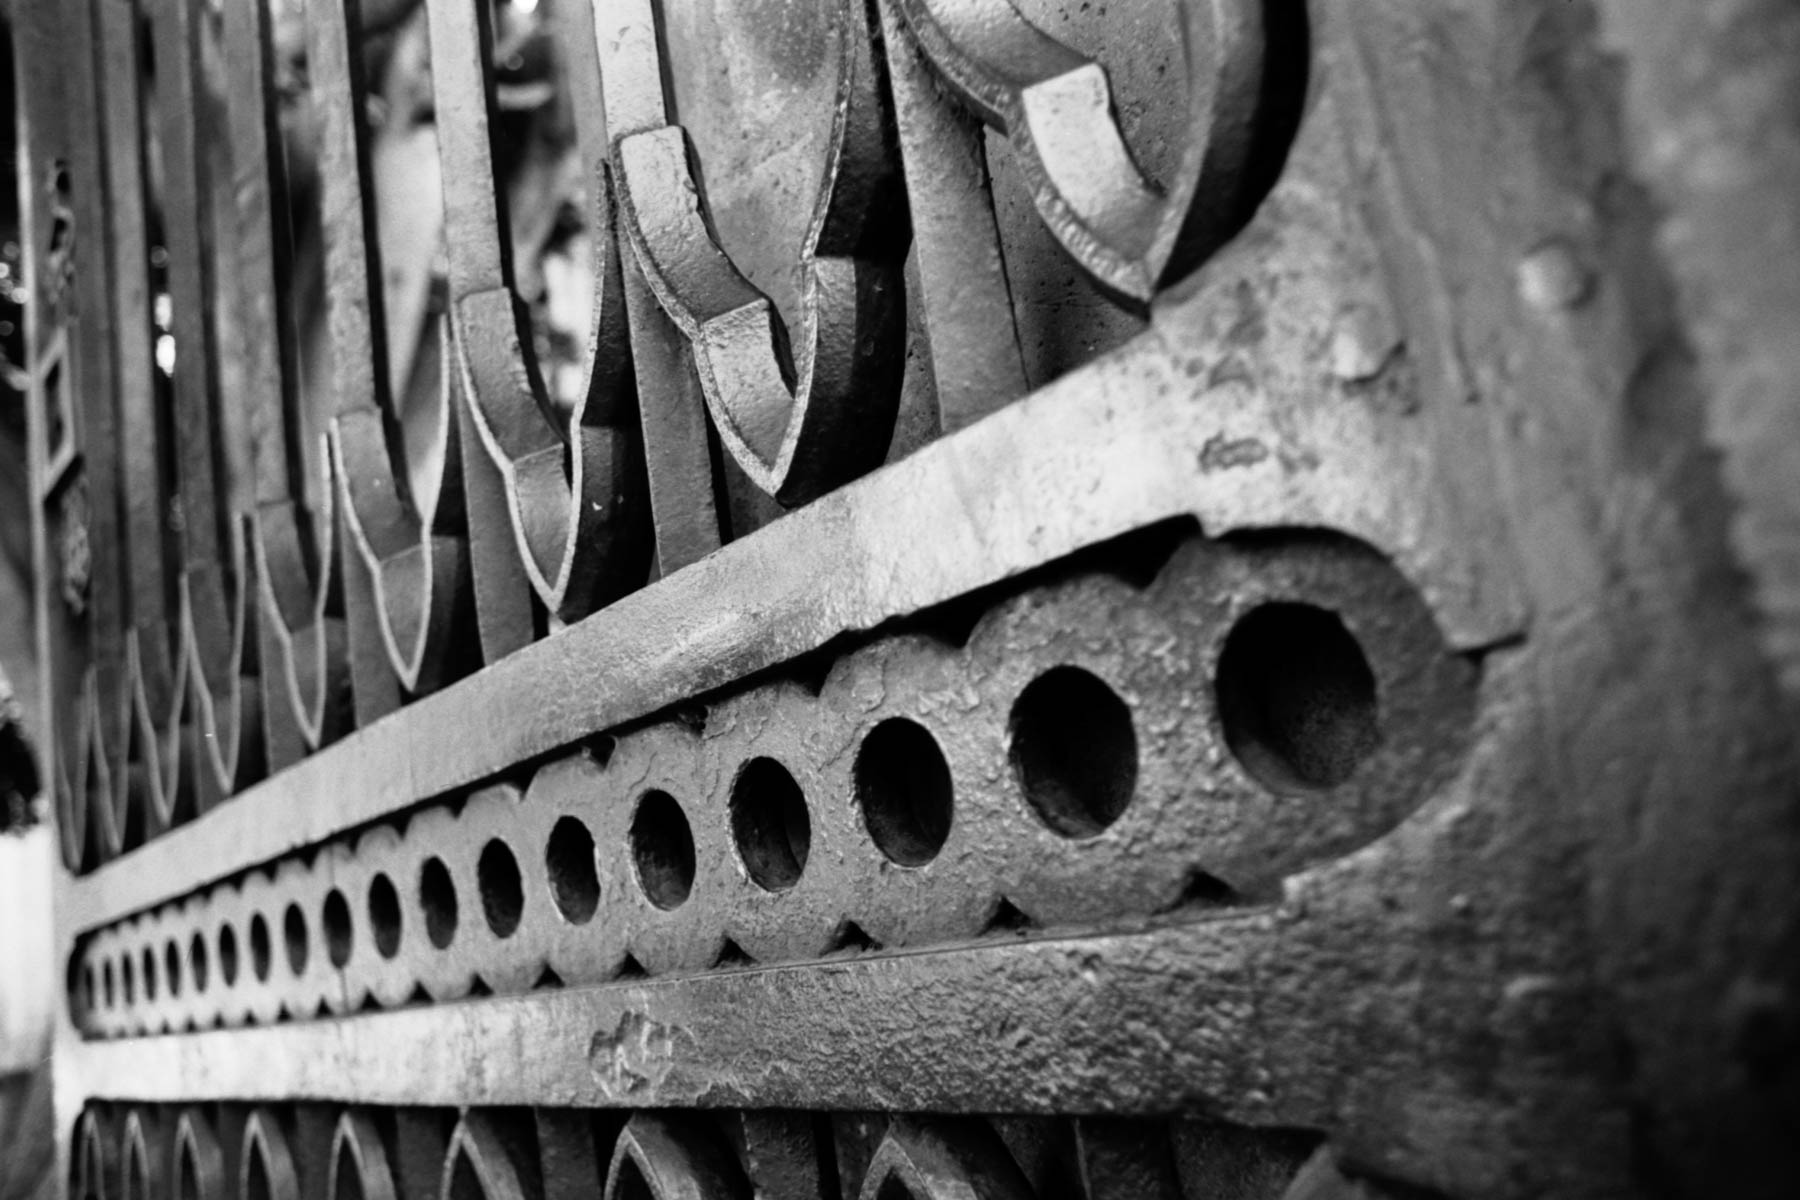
<point x="1162" y="730"/>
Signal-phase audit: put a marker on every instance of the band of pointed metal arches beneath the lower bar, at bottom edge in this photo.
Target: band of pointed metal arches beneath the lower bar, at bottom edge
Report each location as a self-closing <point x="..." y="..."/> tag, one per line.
<point x="319" y="1151"/>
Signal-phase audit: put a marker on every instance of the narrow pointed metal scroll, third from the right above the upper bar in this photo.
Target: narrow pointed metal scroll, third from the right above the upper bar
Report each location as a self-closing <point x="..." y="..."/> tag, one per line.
<point x="571" y="483"/>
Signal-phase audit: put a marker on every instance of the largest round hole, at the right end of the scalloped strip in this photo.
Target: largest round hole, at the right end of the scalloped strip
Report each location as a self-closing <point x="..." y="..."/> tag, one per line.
<point x="1297" y="697"/>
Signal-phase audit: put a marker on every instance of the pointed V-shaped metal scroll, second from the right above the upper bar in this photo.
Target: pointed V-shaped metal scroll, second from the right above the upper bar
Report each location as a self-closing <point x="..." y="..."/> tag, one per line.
<point x="796" y="427"/>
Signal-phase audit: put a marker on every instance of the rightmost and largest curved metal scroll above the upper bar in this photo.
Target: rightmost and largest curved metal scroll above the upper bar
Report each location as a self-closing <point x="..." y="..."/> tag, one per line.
<point x="1131" y="235"/>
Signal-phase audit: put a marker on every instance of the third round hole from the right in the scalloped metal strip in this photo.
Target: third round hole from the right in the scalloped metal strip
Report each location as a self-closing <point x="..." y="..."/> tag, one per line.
<point x="904" y="791"/>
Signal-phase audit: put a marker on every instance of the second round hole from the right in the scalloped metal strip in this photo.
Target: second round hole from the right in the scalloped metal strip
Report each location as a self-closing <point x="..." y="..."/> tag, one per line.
<point x="1074" y="751"/>
